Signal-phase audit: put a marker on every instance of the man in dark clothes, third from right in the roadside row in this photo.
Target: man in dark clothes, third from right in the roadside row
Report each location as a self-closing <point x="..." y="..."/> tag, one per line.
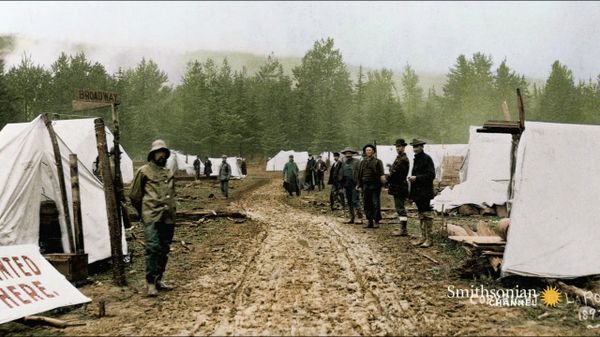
<point x="371" y="178"/>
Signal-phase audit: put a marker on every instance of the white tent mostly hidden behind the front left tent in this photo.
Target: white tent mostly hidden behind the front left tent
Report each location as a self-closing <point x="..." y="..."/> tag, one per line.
<point x="80" y="136"/>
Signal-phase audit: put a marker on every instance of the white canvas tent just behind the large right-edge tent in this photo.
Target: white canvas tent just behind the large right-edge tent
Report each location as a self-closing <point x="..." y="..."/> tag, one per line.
<point x="485" y="176"/>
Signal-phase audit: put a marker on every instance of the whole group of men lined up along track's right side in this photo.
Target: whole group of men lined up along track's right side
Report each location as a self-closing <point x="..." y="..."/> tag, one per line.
<point x="353" y="179"/>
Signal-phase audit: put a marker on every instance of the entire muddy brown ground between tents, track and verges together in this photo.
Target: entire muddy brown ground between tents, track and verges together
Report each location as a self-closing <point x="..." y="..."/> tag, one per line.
<point x="295" y="268"/>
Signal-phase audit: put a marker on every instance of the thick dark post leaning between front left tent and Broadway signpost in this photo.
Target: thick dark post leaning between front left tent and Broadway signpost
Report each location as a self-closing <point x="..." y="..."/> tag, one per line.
<point x="114" y="225"/>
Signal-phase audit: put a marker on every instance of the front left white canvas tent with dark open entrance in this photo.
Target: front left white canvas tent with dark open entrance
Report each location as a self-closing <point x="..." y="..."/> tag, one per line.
<point x="29" y="176"/>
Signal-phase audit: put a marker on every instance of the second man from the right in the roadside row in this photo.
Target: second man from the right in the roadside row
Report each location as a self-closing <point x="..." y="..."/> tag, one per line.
<point x="398" y="186"/>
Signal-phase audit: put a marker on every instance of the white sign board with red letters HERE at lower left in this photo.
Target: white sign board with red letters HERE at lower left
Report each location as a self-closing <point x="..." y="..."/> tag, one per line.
<point x="29" y="284"/>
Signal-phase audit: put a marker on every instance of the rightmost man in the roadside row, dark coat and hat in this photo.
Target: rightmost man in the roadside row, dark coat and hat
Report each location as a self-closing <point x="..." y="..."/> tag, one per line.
<point x="421" y="190"/>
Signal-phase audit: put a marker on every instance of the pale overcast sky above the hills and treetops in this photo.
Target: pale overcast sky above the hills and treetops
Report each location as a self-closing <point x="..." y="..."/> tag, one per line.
<point x="427" y="35"/>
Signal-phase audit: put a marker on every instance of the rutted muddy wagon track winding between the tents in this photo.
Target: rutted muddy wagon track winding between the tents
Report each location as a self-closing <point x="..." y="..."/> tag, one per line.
<point x="311" y="275"/>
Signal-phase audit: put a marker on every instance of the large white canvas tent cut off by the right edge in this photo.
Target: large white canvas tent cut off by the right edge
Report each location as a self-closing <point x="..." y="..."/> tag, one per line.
<point x="554" y="228"/>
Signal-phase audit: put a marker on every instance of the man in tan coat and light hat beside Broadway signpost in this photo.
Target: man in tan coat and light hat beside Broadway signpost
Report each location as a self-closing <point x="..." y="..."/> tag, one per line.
<point x="153" y="196"/>
